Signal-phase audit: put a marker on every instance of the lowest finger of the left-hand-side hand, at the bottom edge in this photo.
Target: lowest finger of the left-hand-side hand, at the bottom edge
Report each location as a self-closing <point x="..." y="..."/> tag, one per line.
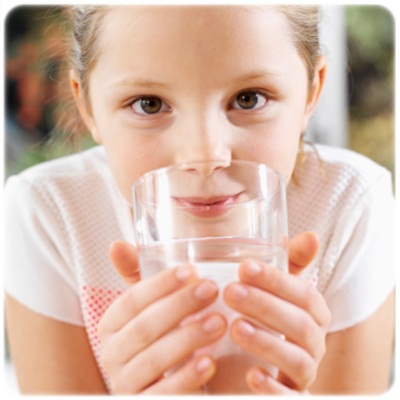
<point x="187" y="380"/>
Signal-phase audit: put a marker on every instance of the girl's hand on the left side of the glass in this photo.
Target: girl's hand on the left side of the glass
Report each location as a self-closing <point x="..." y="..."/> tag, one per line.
<point x="142" y="340"/>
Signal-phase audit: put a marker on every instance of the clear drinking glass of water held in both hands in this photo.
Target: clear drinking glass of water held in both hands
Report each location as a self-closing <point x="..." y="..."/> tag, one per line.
<point x="213" y="216"/>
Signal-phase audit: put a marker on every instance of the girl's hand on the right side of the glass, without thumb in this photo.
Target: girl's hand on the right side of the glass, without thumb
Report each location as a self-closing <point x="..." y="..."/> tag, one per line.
<point x="289" y="305"/>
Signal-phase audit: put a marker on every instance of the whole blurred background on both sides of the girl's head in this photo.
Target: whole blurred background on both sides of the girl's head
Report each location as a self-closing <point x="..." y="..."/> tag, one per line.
<point x="356" y="110"/>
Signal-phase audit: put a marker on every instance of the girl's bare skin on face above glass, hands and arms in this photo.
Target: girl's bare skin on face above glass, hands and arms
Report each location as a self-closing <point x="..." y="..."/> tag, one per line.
<point x="200" y="119"/>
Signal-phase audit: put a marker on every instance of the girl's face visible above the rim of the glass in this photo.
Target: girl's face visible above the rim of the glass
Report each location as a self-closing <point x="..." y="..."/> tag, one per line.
<point x="185" y="84"/>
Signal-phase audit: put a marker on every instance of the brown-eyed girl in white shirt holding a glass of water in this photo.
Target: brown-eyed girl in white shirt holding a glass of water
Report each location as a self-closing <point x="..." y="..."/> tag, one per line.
<point x="165" y="85"/>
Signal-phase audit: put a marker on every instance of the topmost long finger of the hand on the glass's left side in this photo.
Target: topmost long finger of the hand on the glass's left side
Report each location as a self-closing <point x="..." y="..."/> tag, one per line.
<point x="141" y="295"/>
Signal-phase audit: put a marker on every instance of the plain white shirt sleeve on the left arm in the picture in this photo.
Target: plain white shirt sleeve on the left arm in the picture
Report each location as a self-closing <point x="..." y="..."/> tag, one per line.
<point x="38" y="272"/>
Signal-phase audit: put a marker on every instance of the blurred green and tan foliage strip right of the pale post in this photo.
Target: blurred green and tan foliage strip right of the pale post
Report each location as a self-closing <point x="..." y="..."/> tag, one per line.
<point x="371" y="80"/>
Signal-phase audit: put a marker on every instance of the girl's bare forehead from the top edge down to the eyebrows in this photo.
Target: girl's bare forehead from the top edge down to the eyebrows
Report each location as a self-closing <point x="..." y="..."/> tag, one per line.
<point x="205" y="47"/>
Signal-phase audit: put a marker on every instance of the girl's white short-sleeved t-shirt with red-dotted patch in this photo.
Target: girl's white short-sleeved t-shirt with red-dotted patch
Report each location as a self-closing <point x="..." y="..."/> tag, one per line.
<point x="62" y="216"/>
